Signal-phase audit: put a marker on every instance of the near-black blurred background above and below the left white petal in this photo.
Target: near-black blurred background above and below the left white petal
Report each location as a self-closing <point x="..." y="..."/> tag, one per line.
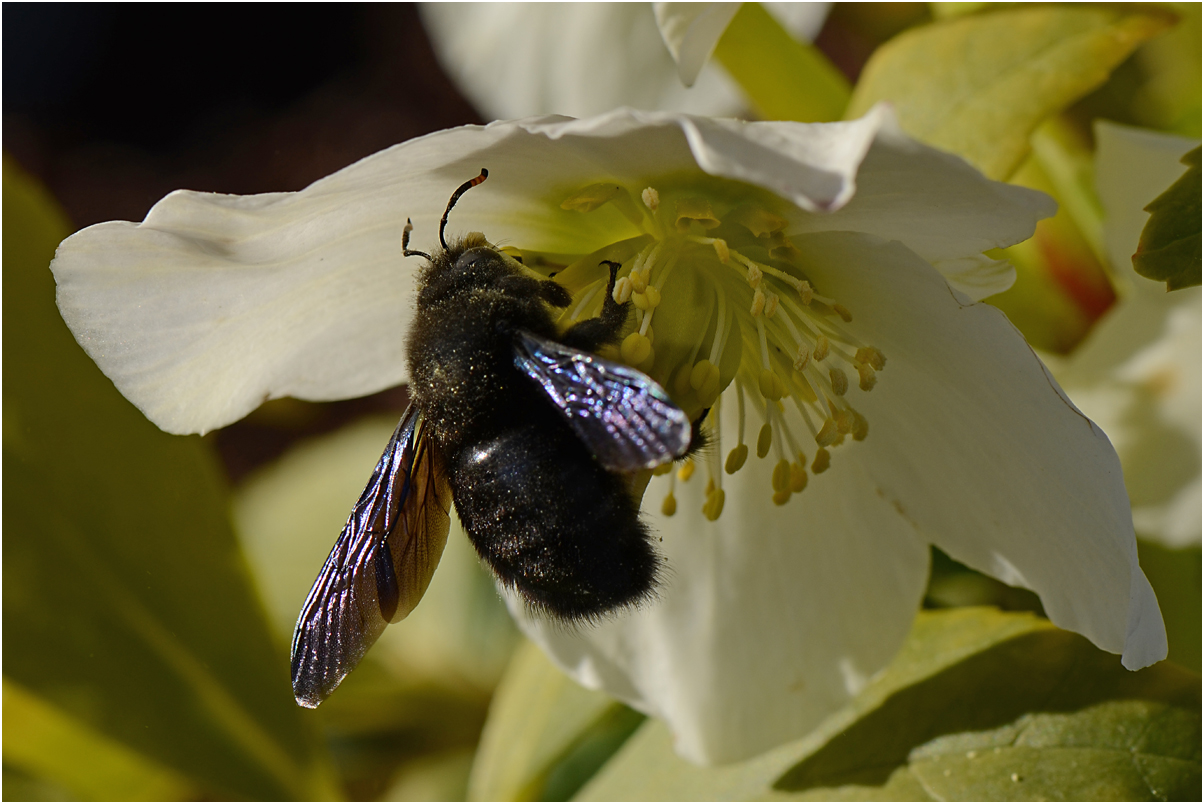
<point x="114" y="107"/>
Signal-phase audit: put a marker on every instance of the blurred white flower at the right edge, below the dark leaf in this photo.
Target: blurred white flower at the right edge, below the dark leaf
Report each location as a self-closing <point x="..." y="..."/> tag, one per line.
<point x="1138" y="373"/>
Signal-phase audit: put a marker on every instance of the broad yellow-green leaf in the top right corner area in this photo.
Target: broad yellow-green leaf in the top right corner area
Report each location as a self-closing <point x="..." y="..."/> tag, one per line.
<point x="979" y="85"/>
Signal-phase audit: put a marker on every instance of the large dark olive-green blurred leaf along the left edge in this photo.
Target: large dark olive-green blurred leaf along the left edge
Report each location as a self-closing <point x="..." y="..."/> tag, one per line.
<point x="127" y="602"/>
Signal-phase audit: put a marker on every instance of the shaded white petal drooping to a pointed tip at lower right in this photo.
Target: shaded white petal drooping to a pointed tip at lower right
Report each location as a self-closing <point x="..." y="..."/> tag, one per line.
<point x="999" y="469"/>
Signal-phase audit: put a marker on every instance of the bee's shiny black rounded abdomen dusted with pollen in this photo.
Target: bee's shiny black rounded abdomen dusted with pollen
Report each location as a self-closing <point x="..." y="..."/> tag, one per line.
<point x="553" y="524"/>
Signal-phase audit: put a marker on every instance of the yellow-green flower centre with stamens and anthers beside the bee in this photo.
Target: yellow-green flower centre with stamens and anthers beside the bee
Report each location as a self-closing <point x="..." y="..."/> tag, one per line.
<point x="725" y="314"/>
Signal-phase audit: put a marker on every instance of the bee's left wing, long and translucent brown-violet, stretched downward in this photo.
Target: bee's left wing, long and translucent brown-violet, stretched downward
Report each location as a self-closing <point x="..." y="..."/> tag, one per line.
<point x="380" y="566"/>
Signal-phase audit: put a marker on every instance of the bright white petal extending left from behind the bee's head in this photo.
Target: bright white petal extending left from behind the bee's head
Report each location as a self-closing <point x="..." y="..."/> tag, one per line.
<point x="216" y="304"/>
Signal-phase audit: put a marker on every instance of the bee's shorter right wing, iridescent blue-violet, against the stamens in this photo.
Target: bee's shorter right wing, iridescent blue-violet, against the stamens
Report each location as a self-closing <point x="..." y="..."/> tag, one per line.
<point x="622" y="415"/>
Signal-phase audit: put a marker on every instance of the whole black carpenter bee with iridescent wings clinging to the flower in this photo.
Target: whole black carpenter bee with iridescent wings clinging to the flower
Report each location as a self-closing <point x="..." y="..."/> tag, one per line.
<point x="533" y="436"/>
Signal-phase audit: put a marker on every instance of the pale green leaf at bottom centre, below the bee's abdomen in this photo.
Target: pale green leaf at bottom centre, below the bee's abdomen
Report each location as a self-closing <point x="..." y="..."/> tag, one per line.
<point x="546" y="736"/>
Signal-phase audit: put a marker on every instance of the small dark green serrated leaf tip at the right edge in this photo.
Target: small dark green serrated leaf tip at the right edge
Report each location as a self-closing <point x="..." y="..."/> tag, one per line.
<point x="1170" y="250"/>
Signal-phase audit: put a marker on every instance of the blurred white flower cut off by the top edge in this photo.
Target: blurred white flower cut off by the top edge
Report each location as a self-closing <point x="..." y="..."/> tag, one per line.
<point x="517" y="60"/>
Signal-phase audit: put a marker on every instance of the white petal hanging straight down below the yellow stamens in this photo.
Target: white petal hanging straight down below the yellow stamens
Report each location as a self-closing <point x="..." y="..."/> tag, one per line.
<point x="769" y="620"/>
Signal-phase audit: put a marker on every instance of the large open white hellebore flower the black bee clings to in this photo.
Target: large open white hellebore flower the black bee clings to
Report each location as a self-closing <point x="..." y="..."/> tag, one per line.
<point x="781" y="273"/>
